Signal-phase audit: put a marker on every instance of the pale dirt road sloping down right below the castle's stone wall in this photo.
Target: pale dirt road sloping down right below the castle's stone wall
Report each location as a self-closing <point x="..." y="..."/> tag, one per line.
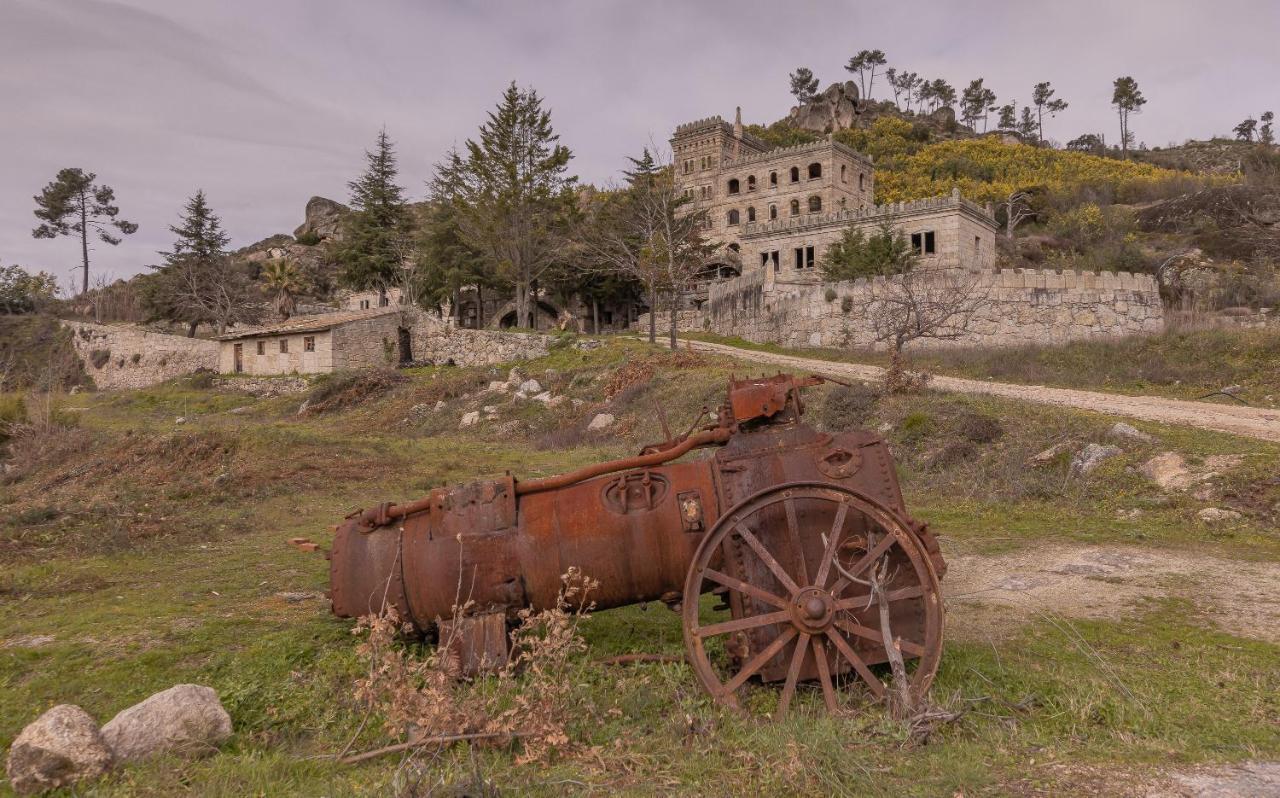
<point x="1241" y="421"/>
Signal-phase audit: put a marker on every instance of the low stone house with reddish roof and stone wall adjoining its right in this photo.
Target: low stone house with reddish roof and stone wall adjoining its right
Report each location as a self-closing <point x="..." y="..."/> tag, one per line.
<point x="362" y="340"/>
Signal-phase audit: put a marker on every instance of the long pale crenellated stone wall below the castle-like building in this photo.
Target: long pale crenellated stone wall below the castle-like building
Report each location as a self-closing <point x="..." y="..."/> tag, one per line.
<point x="1021" y="307"/>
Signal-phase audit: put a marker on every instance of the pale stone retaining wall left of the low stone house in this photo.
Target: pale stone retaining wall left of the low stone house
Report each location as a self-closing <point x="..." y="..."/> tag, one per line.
<point x="134" y="358"/>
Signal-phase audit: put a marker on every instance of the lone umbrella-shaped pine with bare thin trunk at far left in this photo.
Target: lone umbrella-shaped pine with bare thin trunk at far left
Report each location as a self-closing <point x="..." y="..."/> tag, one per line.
<point x="74" y="204"/>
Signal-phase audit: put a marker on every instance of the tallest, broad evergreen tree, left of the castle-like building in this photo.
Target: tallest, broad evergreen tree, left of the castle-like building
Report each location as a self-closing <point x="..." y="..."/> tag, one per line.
<point x="513" y="194"/>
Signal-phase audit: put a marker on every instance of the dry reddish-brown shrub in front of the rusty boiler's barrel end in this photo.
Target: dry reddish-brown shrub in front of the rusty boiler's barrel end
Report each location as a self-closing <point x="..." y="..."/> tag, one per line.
<point x="423" y="700"/>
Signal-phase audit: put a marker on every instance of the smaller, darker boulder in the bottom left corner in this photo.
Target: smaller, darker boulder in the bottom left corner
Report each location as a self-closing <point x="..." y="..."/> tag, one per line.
<point x="60" y="749"/>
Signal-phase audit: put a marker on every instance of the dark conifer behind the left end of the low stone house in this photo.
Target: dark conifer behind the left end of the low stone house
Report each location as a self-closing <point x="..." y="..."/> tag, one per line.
<point x="200" y="284"/>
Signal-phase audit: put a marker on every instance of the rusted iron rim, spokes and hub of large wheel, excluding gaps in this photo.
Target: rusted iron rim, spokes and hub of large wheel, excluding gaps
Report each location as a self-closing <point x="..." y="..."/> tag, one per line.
<point x="813" y="617"/>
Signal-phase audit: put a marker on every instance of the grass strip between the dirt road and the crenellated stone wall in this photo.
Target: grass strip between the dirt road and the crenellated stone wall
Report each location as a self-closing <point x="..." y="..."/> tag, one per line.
<point x="1178" y="364"/>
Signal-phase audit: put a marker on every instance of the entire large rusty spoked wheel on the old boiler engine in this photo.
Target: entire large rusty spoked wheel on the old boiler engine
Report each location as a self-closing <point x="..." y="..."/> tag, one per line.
<point x="812" y="574"/>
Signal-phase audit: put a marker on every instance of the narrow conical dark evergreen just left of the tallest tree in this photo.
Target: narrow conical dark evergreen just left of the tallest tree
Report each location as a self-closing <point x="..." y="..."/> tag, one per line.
<point x="376" y="245"/>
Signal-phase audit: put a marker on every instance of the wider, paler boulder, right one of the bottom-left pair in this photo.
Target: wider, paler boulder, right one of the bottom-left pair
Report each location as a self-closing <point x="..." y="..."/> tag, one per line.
<point x="186" y="719"/>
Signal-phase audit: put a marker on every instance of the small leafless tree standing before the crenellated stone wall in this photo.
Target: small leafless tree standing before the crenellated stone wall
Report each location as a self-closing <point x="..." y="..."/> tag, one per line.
<point x="920" y="304"/>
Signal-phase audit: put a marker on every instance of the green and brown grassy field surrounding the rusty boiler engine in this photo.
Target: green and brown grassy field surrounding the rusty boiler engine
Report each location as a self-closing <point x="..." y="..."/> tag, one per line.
<point x="138" y="553"/>
